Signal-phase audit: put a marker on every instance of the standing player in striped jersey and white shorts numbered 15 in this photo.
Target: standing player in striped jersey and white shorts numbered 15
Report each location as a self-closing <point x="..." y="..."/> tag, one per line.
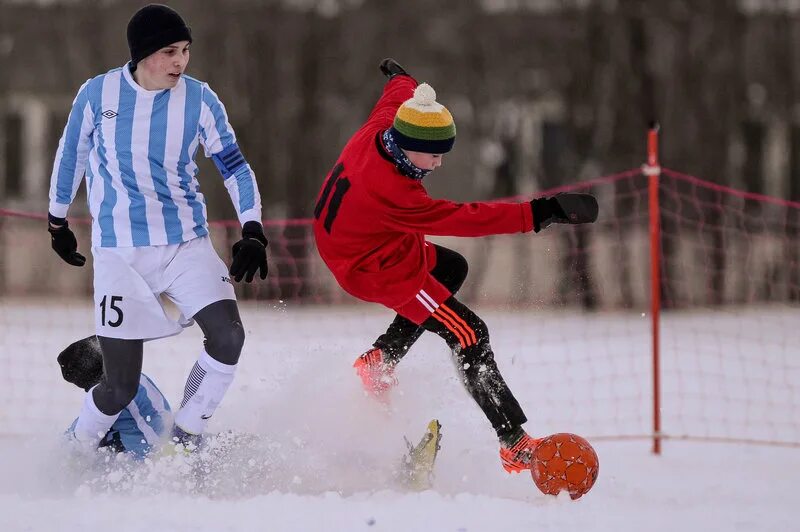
<point x="134" y="132"/>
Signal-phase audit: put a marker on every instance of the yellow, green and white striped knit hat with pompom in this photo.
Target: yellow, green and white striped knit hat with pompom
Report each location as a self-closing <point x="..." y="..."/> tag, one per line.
<point x="422" y="124"/>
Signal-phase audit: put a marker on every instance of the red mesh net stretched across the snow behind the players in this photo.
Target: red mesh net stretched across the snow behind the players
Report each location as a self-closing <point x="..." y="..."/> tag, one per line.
<point x="568" y="309"/>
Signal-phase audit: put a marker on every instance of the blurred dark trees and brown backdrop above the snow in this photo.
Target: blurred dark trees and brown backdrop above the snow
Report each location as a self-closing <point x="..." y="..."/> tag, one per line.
<point x="545" y="93"/>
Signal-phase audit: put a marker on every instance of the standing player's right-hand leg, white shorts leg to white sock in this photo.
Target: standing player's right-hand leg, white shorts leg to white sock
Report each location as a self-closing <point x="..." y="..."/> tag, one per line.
<point x="198" y="283"/>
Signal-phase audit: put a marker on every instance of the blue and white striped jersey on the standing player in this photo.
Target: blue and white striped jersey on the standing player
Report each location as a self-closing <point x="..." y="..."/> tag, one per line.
<point x="137" y="149"/>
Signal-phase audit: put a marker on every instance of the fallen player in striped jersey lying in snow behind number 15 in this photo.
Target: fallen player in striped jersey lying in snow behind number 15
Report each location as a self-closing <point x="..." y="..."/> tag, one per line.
<point x="142" y="424"/>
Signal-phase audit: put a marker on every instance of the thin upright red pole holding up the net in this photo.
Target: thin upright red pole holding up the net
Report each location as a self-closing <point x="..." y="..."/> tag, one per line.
<point x="653" y="171"/>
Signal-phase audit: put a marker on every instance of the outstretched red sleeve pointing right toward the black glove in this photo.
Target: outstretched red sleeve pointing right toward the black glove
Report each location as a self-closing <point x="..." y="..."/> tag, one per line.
<point x="415" y="211"/>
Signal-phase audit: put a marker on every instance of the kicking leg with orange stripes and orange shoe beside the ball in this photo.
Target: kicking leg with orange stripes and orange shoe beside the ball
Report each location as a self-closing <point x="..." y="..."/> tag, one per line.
<point x="468" y="337"/>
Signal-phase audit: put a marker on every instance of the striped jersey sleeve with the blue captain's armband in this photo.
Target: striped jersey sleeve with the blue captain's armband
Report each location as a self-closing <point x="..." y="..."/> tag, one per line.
<point x="219" y="142"/>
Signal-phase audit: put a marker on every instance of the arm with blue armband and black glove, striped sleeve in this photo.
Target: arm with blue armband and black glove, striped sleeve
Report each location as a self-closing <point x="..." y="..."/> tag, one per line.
<point x="219" y="142"/>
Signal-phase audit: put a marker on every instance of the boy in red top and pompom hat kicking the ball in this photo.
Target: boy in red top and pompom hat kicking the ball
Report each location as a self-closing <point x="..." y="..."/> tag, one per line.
<point x="371" y="219"/>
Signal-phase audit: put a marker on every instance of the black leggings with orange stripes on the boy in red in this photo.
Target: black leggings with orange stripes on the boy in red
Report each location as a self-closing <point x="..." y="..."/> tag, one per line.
<point x="468" y="337"/>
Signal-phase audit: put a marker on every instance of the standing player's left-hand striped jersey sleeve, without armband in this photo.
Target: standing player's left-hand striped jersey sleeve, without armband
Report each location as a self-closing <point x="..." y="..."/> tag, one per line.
<point x="73" y="149"/>
